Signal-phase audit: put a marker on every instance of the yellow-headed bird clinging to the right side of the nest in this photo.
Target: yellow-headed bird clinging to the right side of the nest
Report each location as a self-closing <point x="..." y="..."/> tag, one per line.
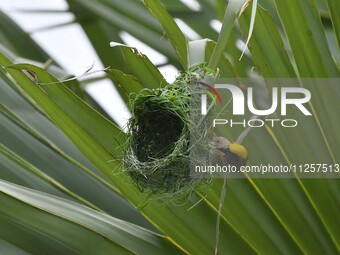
<point x="224" y="153"/>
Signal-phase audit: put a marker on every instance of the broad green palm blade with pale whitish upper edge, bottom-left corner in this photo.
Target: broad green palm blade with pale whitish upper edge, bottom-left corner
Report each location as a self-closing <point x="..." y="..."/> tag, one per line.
<point x="87" y="230"/>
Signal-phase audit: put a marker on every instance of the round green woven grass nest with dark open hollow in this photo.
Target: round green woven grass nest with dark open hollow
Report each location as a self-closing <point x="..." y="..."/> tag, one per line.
<point x="159" y="150"/>
